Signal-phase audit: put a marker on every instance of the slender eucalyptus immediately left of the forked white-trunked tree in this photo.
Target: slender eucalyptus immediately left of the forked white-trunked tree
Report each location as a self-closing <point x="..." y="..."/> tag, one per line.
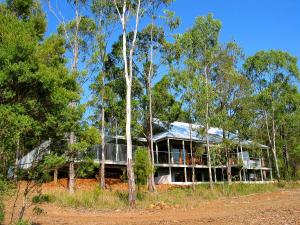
<point x="104" y="19"/>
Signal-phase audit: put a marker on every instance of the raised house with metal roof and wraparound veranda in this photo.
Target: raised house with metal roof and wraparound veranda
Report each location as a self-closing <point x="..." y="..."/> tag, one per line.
<point x="175" y="147"/>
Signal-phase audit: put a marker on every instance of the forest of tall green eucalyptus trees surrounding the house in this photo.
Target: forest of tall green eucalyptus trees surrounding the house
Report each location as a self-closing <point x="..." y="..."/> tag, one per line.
<point x="136" y="69"/>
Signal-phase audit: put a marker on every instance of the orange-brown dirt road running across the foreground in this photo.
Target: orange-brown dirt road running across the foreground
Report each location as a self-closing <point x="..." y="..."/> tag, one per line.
<point x="268" y="208"/>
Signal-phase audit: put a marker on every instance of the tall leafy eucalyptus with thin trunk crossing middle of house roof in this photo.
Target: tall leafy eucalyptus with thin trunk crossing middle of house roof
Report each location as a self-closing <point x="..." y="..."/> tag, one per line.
<point x="198" y="49"/>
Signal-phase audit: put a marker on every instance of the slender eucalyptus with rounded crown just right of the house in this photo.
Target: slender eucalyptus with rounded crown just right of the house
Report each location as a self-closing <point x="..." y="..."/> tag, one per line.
<point x="269" y="71"/>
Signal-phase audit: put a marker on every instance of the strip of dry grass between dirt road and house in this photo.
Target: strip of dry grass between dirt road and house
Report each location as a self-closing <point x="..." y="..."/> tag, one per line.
<point x="175" y="196"/>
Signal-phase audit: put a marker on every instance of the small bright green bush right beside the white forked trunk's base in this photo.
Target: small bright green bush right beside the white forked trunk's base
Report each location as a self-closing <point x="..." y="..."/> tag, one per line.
<point x="142" y="166"/>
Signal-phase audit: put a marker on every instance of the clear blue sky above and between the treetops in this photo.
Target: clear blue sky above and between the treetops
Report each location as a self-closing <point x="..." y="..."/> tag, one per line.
<point x="254" y="24"/>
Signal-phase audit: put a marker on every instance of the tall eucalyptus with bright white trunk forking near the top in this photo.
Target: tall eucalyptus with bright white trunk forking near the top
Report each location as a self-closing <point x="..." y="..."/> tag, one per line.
<point x="129" y="14"/>
